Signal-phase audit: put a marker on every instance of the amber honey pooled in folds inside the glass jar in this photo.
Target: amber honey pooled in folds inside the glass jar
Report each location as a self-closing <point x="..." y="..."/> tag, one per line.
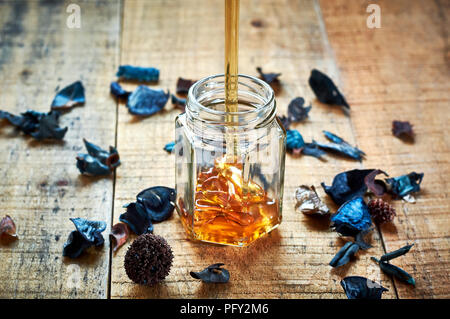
<point x="227" y="208"/>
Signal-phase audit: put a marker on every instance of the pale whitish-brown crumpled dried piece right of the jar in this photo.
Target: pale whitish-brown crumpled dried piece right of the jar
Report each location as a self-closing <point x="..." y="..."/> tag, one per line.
<point x="308" y="202"/>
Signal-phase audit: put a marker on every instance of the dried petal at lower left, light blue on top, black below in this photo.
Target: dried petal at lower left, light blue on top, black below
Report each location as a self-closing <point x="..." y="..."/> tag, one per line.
<point x="88" y="234"/>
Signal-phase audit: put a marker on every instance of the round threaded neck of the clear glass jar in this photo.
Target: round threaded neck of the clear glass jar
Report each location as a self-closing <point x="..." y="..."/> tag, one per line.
<point x="206" y="103"/>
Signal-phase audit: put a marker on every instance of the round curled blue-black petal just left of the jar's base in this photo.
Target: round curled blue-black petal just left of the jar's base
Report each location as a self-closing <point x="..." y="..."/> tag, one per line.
<point x="158" y="202"/>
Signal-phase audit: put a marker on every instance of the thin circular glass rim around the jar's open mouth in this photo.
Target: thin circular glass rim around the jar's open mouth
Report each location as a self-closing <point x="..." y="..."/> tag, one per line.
<point x="192" y="96"/>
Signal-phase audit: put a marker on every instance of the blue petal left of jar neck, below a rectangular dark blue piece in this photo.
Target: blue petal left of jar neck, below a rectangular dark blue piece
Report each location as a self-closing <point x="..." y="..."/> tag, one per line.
<point x="145" y="101"/>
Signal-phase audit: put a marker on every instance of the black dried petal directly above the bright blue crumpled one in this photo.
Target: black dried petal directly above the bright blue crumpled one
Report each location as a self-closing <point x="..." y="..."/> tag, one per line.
<point x="347" y="185"/>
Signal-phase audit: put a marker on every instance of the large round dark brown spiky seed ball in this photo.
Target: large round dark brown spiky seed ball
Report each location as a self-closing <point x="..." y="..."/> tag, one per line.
<point x="148" y="260"/>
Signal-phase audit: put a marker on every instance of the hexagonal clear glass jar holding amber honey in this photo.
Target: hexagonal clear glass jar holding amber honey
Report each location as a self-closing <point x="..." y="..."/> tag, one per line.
<point x="229" y="165"/>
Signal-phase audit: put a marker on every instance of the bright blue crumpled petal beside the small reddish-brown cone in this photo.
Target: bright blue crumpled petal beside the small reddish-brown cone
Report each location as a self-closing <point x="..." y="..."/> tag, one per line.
<point x="352" y="217"/>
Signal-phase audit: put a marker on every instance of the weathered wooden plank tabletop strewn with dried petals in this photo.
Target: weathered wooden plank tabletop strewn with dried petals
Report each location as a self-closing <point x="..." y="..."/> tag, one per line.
<point x="398" y="72"/>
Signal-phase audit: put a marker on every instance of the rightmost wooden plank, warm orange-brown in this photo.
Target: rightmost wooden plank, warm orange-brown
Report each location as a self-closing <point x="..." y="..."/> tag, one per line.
<point x="401" y="72"/>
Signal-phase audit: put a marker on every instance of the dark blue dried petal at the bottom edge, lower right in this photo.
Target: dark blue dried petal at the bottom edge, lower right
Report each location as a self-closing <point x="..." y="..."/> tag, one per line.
<point x="356" y="287"/>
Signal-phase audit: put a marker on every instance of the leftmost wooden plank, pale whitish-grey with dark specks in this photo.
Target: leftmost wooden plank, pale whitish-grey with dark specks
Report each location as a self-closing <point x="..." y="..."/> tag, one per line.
<point x="40" y="185"/>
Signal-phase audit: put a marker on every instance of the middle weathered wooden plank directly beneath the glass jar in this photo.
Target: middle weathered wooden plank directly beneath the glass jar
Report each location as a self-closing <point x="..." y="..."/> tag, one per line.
<point x="185" y="38"/>
